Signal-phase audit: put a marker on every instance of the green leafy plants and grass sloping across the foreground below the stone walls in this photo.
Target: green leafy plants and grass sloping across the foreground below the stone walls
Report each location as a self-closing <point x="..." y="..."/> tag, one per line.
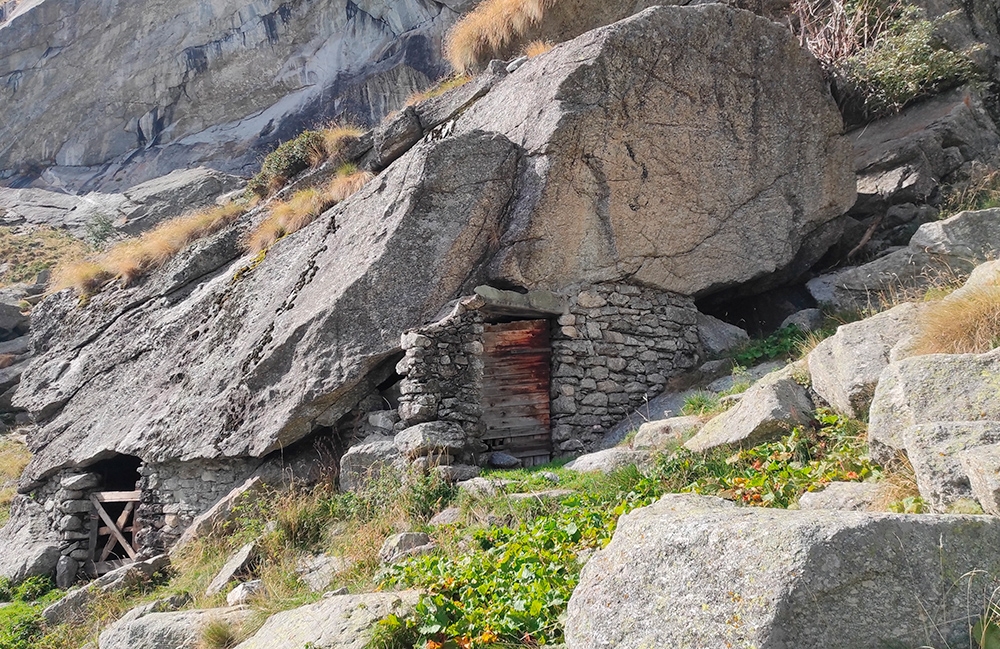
<point x="502" y="574"/>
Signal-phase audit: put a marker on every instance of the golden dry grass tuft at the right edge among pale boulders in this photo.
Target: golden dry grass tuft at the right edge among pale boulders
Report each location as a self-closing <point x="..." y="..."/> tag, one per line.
<point x="967" y="322"/>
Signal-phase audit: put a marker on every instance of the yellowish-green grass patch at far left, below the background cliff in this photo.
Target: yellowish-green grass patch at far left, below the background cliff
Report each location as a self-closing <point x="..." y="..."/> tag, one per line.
<point x="25" y="254"/>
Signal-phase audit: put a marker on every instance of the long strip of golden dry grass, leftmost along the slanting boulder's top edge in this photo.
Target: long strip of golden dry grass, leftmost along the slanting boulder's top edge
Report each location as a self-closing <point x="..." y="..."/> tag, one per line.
<point x="132" y="258"/>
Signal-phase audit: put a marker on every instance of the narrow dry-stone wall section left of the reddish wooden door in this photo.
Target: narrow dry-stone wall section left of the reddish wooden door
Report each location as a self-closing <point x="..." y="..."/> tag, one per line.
<point x="443" y="372"/>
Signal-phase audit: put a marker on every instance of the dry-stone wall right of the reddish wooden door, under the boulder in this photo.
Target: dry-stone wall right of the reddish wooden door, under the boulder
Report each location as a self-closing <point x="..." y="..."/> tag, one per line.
<point x="615" y="349"/>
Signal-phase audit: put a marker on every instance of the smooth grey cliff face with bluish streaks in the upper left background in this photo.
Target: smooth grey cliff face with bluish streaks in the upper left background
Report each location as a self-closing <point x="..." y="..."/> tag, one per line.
<point x="199" y="81"/>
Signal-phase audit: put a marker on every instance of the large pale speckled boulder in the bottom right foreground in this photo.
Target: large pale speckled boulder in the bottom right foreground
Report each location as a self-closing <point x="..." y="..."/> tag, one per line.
<point x="698" y="572"/>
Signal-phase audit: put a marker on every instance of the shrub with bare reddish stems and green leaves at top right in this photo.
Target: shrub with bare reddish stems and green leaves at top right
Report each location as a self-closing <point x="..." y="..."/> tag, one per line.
<point x="881" y="55"/>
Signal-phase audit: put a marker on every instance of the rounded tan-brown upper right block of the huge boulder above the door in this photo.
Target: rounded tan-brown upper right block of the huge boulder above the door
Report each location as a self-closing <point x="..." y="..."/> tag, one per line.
<point x="777" y="161"/>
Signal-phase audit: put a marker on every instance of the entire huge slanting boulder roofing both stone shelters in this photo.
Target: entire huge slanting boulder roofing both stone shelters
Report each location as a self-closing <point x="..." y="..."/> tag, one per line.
<point x="261" y="354"/>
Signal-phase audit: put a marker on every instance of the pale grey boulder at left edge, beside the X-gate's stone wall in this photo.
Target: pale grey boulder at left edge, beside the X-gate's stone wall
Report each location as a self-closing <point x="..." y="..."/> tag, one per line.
<point x="27" y="546"/>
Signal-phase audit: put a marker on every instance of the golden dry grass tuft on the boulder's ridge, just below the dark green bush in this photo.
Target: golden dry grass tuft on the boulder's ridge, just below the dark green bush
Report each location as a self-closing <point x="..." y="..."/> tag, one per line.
<point x="304" y="207"/>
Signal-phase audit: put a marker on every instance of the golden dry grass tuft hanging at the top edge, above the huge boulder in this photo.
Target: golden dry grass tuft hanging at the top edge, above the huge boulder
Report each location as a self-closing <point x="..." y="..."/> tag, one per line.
<point x="492" y="31"/>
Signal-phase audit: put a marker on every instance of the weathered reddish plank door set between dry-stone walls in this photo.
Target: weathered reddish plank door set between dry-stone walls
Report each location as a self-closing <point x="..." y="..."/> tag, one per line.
<point x="516" y="390"/>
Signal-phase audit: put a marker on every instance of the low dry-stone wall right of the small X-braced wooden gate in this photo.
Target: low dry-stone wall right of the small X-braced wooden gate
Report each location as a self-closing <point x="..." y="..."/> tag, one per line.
<point x="174" y="493"/>
